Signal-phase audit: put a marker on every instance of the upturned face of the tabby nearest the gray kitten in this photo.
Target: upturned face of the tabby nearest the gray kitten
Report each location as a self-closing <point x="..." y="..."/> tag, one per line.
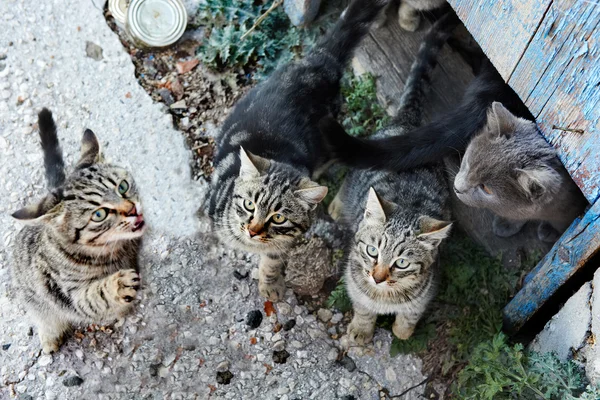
<point x="393" y="255"/>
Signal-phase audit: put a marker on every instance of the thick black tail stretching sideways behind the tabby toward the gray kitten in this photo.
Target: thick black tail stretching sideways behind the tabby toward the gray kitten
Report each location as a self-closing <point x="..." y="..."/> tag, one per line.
<point x="448" y="134"/>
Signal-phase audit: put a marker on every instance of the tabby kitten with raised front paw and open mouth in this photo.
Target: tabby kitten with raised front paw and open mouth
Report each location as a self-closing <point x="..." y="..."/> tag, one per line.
<point x="75" y="261"/>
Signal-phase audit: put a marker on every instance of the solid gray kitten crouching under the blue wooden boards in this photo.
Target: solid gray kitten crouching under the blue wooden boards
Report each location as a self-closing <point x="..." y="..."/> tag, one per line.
<point x="511" y="170"/>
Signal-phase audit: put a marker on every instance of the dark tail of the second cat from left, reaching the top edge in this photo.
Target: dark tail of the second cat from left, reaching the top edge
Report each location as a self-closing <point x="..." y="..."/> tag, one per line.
<point x="353" y="25"/>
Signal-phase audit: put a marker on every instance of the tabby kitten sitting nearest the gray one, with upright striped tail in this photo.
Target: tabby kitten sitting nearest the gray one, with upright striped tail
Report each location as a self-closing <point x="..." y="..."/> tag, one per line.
<point x="391" y="261"/>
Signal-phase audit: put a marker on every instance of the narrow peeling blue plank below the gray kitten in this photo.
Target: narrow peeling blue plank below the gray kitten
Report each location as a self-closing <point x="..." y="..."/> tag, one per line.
<point x="577" y="245"/>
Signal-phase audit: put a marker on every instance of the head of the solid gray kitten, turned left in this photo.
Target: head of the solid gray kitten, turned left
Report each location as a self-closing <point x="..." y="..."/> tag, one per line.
<point x="502" y="172"/>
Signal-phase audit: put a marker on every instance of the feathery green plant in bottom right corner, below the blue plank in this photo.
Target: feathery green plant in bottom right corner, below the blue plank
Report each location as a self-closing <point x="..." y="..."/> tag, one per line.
<point x="498" y="371"/>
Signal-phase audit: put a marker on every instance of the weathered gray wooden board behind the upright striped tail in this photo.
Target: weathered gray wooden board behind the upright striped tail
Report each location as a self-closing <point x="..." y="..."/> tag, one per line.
<point x="388" y="54"/>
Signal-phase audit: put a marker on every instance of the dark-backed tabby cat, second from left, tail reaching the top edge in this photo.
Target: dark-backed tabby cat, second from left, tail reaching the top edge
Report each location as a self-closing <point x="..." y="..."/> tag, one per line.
<point x="262" y="195"/>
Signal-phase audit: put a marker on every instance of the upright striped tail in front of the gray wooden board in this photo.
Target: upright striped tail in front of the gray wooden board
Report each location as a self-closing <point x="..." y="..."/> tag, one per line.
<point x="409" y="114"/>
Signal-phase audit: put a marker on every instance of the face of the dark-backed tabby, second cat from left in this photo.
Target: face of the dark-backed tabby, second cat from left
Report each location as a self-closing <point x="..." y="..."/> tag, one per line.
<point x="271" y="205"/>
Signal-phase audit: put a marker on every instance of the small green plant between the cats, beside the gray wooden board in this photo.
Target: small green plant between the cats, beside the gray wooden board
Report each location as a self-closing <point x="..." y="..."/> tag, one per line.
<point x="362" y="114"/>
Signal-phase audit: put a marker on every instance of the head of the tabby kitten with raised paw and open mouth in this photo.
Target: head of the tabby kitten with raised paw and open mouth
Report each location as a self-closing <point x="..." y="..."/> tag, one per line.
<point x="97" y="205"/>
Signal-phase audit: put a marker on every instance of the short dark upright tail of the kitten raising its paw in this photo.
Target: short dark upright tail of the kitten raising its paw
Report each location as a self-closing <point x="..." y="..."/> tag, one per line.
<point x="53" y="160"/>
